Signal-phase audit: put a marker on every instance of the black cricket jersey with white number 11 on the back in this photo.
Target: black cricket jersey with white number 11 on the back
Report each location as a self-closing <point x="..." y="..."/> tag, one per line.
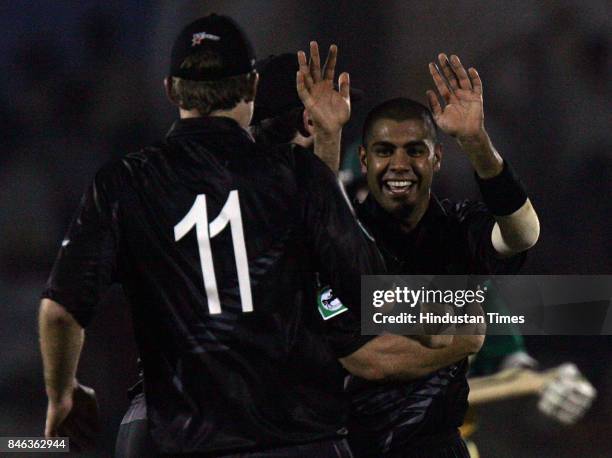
<point x="216" y="241"/>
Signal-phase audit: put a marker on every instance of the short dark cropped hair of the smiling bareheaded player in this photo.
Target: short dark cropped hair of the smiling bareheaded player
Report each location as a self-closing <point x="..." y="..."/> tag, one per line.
<point x="399" y="109"/>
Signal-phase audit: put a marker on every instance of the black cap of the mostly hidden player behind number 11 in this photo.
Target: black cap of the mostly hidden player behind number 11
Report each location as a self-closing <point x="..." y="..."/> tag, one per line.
<point x="276" y="91"/>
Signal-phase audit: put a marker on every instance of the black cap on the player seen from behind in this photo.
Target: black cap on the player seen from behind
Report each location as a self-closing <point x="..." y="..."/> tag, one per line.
<point x="219" y="35"/>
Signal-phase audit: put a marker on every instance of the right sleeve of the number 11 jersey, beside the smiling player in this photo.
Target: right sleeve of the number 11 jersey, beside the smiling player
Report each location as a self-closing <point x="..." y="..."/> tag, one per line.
<point x="343" y="250"/>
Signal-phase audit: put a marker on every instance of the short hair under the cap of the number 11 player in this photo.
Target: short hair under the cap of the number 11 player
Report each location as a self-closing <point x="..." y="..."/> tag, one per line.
<point x="209" y="96"/>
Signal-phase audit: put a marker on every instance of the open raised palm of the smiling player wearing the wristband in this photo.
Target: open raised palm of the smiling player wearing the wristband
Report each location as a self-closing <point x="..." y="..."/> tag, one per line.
<point x="462" y="114"/>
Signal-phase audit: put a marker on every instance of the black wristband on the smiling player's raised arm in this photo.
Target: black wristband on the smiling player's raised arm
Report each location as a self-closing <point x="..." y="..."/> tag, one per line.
<point x="503" y="194"/>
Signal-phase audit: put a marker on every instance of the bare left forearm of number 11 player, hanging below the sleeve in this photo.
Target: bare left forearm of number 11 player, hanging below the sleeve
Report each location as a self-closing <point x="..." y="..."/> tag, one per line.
<point x="61" y="340"/>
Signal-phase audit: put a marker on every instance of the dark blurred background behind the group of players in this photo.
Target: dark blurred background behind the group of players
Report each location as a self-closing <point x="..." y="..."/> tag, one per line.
<point x="82" y="83"/>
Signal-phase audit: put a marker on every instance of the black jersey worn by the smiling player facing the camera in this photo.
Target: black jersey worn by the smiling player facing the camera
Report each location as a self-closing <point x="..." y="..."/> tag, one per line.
<point x="397" y="418"/>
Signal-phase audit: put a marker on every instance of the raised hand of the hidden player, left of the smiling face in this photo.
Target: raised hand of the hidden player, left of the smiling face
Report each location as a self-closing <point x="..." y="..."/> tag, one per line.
<point x="329" y="109"/>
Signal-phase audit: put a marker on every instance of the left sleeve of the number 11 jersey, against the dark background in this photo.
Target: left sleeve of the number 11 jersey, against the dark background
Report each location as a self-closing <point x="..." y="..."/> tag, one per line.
<point x="86" y="263"/>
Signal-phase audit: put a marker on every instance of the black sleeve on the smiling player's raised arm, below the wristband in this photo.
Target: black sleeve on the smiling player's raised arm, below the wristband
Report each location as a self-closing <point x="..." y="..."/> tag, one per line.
<point x="477" y="225"/>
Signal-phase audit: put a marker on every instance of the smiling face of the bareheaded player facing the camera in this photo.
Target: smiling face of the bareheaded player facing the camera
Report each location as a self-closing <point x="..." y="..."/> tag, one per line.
<point x="400" y="158"/>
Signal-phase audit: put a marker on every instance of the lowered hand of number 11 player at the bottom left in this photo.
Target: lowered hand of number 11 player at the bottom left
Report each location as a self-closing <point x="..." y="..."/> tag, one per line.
<point x="76" y="418"/>
